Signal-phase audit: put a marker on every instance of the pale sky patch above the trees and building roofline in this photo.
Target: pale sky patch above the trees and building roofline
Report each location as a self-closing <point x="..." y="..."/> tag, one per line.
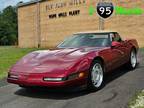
<point x="5" y="3"/>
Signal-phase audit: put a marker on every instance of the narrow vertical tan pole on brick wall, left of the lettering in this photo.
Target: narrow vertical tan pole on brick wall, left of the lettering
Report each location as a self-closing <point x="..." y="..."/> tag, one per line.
<point x="38" y="25"/>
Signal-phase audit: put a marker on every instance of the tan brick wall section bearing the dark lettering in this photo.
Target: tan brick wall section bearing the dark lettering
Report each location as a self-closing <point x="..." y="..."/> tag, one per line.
<point x="53" y="31"/>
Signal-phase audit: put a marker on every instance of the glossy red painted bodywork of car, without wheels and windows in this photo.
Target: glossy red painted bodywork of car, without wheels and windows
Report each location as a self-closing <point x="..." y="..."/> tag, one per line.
<point x="61" y="63"/>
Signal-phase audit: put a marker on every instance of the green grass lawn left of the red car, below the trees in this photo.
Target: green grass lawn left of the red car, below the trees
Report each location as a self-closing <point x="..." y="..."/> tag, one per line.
<point x="9" y="56"/>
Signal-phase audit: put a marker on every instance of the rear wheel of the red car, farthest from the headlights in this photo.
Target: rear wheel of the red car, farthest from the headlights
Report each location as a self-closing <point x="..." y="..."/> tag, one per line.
<point x="132" y="60"/>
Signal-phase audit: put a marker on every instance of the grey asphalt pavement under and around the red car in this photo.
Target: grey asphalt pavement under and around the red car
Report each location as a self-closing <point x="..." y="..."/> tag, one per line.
<point x="120" y="87"/>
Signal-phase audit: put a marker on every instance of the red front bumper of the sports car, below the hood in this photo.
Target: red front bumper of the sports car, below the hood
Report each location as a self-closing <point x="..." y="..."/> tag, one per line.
<point x="37" y="80"/>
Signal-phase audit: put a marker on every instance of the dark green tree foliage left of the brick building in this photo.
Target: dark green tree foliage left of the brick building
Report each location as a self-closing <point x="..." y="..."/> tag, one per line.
<point x="8" y="26"/>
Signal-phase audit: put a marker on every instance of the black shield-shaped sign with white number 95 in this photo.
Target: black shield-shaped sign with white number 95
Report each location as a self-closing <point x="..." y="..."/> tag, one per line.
<point x="105" y="9"/>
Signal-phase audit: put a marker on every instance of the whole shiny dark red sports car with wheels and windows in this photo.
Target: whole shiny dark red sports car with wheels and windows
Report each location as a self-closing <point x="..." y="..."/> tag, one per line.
<point x="80" y="60"/>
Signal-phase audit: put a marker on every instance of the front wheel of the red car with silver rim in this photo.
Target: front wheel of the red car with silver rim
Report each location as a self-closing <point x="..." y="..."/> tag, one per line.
<point x="96" y="76"/>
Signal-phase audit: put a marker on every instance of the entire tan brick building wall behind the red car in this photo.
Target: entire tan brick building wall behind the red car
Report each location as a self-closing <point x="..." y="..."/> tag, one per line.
<point x="54" y="30"/>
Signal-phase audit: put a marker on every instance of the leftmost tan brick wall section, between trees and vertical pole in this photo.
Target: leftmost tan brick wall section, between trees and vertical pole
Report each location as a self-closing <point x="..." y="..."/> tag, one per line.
<point x="27" y="20"/>
